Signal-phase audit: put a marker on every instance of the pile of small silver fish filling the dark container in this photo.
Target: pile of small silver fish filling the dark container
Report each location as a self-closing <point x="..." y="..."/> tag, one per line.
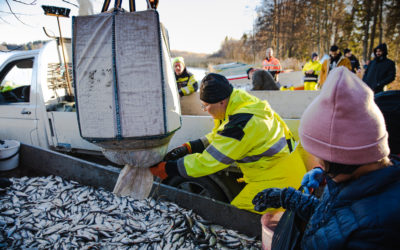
<point x="50" y="212"/>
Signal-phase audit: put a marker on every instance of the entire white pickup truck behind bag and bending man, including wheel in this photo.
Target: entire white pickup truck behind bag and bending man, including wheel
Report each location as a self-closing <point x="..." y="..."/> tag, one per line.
<point x="35" y="109"/>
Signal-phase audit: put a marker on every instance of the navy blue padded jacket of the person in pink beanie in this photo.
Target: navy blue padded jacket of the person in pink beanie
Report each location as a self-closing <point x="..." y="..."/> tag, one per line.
<point x="359" y="214"/>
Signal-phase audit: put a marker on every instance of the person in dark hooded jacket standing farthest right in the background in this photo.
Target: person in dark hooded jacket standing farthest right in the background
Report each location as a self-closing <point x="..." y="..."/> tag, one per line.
<point x="380" y="71"/>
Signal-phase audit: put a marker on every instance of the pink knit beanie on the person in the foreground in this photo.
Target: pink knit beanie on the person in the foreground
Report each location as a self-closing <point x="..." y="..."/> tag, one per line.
<point x="343" y="124"/>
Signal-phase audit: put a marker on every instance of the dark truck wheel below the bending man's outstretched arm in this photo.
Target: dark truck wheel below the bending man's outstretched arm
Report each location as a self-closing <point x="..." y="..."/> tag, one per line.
<point x="203" y="186"/>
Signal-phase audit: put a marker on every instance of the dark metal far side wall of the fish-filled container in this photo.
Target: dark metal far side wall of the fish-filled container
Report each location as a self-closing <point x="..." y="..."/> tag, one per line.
<point x="35" y="161"/>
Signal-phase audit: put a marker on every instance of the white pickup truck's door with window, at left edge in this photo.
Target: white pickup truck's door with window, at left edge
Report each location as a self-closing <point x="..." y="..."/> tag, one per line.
<point x="17" y="104"/>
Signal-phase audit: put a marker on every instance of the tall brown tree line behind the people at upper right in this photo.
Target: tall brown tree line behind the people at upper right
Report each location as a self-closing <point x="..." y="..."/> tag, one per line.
<point x="296" y="28"/>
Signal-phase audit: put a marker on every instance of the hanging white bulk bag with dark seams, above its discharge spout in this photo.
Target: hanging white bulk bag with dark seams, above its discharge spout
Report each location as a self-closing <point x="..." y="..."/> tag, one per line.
<point x="125" y="87"/>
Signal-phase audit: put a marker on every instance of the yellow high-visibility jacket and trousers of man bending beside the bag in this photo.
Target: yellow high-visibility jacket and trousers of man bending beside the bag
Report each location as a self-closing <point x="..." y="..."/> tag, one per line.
<point x="253" y="136"/>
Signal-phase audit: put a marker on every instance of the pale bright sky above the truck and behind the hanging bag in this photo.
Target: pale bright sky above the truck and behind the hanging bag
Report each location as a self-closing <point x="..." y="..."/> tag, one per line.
<point x="193" y="25"/>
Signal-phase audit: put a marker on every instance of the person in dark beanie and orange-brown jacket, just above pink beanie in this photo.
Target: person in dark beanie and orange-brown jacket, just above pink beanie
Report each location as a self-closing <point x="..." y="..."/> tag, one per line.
<point x="336" y="60"/>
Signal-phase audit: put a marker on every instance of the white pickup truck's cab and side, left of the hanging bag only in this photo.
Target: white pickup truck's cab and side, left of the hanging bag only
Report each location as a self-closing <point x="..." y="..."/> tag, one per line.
<point x="36" y="108"/>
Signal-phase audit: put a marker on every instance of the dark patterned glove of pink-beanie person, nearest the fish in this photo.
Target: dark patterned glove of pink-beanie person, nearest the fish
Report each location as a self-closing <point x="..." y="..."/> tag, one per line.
<point x="268" y="198"/>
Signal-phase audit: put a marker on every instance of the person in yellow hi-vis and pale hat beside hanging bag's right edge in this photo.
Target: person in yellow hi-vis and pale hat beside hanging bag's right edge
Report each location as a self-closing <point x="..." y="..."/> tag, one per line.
<point x="185" y="80"/>
